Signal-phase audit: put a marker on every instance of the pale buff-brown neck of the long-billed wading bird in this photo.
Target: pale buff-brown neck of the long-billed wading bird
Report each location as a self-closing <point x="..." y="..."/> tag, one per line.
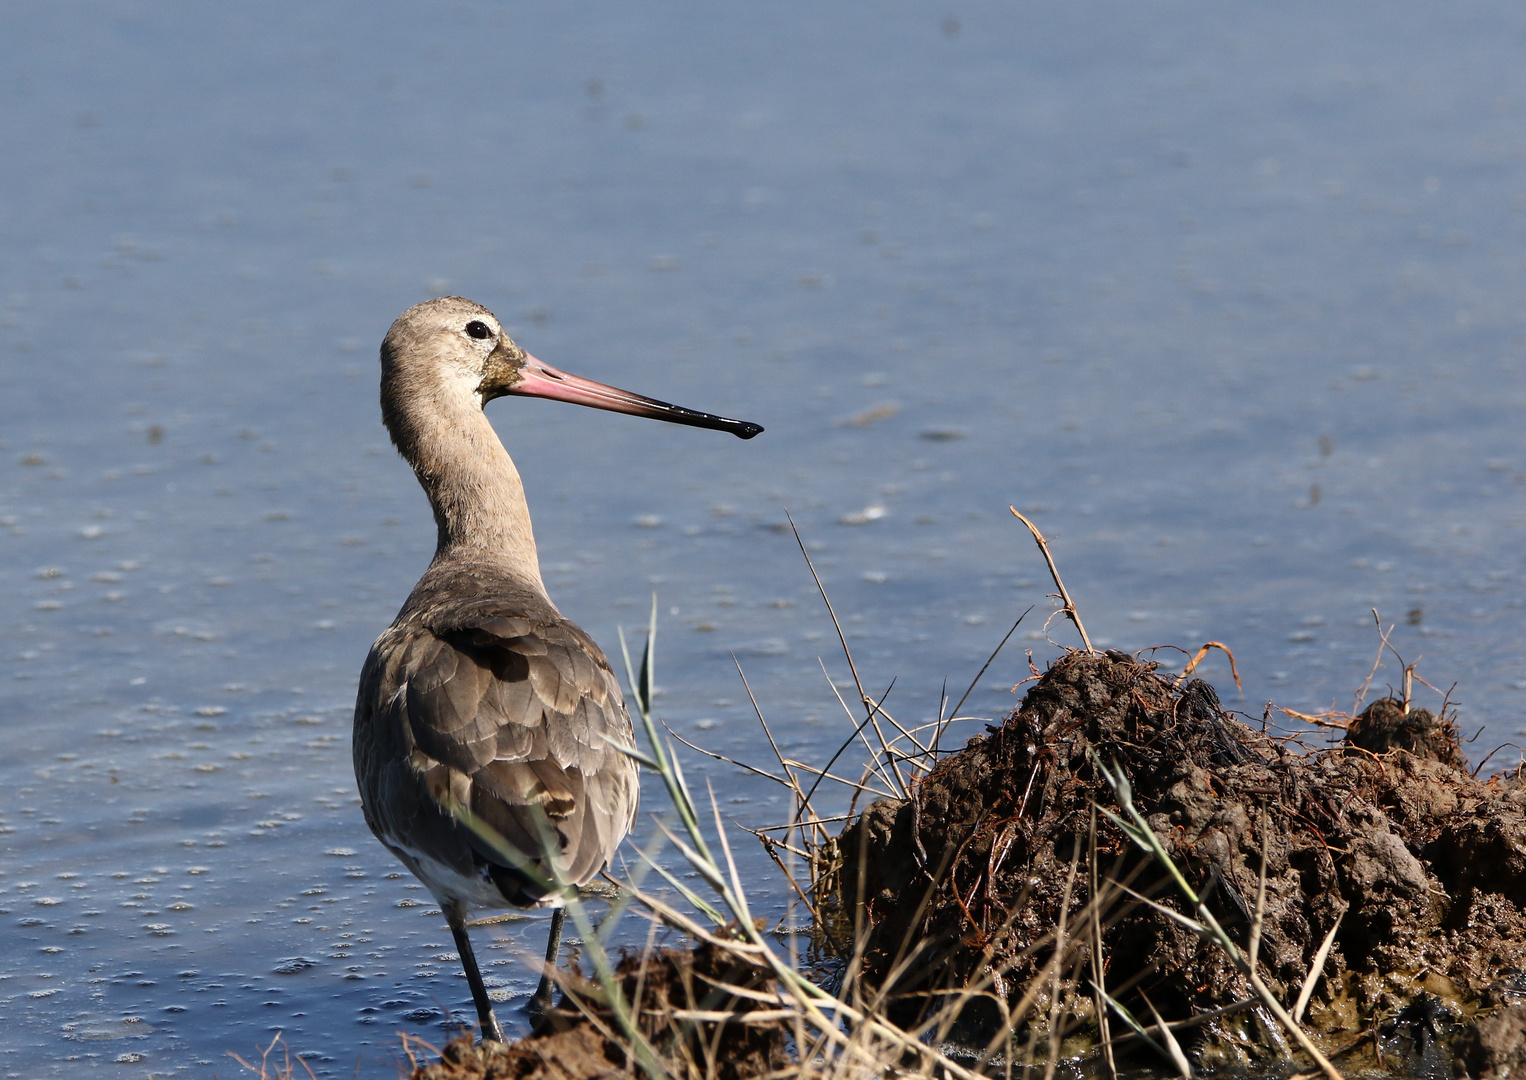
<point x="477" y="495"/>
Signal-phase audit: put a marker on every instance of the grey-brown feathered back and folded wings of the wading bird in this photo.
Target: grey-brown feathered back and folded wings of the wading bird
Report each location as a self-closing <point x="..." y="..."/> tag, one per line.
<point x="486" y="719"/>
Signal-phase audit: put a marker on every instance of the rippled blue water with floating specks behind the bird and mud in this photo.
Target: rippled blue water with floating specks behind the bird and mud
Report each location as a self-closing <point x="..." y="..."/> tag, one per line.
<point x="1226" y="298"/>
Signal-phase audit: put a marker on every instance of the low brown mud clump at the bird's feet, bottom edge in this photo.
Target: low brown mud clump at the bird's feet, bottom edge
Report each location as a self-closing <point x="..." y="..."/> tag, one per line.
<point x="678" y="995"/>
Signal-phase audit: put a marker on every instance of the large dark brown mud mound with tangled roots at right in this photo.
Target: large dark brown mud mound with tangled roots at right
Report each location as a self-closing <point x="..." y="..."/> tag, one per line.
<point x="1423" y="866"/>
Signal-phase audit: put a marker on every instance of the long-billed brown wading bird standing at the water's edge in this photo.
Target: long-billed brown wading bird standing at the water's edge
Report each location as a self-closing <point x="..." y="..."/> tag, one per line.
<point x="491" y="733"/>
